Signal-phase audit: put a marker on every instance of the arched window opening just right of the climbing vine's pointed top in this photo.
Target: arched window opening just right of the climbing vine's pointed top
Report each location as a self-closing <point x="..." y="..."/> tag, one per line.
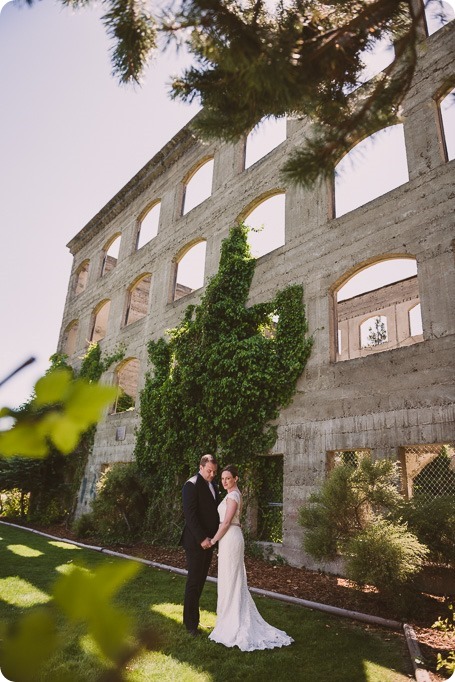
<point x="267" y="225"/>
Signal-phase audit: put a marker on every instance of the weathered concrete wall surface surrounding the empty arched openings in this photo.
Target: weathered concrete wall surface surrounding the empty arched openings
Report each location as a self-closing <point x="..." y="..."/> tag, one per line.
<point x="380" y="402"/>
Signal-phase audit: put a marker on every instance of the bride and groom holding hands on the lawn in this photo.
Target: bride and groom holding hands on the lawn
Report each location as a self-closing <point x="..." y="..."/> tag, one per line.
<point x="209" y="521"/>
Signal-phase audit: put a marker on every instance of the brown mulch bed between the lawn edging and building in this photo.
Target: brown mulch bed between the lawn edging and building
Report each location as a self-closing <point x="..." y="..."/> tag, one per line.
<point x="318" y="587"/>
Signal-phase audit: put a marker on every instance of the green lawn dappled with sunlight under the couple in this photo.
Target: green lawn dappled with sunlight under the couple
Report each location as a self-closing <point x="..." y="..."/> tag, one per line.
<point x="325" y="648"/>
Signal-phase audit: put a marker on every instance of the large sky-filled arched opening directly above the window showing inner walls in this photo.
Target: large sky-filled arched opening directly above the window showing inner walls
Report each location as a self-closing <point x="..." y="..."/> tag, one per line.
<point x="373" y="167"/>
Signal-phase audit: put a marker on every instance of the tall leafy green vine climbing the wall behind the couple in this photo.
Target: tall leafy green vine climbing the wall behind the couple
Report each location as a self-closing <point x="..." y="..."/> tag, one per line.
<point x="218" y="383"/>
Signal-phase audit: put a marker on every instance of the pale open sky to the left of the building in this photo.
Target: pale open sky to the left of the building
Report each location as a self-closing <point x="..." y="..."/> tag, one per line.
<point x="70" y="138"/>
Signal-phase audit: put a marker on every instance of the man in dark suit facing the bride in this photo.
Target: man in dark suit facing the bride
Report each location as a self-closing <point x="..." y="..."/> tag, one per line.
<point x="200" y="509"/>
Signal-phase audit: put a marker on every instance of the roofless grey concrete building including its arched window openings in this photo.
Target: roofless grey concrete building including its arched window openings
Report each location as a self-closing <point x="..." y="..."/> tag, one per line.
<point x="394" y="398"/>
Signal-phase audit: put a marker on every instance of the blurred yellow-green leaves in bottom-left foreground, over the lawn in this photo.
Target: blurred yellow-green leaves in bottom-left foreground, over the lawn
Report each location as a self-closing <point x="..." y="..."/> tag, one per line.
<point x="83" y="597"/>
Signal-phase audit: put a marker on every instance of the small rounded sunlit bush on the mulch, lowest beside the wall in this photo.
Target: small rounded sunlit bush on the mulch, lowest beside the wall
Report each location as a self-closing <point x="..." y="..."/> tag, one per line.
<point x="384" y="554"/>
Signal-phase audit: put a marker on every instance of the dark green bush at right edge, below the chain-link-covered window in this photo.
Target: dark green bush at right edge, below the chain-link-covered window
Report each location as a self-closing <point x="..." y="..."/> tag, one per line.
<point x="432" y="519"/>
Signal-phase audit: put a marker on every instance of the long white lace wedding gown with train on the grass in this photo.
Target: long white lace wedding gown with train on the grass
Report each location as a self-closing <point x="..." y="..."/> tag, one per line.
<point x="238" y="622"/>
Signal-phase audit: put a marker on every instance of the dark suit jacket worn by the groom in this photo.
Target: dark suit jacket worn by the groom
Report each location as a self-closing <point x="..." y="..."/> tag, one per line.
<point x="200" y="510"/>
